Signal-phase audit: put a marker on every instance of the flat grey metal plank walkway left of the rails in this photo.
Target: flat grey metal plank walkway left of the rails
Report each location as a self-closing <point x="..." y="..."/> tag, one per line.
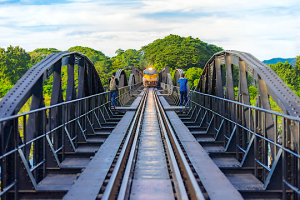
<point x="91" y="179"/>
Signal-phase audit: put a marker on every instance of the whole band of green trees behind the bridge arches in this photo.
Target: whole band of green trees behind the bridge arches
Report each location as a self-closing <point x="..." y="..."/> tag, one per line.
<point x="174" y="51"/>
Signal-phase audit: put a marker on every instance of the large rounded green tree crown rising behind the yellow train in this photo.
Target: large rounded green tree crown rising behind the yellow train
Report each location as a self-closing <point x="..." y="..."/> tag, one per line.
<point x="178" y="52"/>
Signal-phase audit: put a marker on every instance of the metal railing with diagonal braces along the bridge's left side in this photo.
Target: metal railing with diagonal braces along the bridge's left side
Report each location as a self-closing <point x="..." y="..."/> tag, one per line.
<point x="58" y="129"/>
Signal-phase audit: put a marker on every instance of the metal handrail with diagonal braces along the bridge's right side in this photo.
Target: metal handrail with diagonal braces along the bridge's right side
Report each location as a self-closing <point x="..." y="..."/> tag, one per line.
<point x="256" y="128"/>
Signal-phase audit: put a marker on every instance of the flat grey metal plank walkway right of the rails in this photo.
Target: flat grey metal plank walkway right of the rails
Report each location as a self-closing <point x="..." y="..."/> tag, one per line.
<point x="208" y="172"/>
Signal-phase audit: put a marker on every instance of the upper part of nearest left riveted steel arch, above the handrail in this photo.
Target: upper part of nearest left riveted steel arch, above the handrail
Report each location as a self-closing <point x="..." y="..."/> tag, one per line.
<point x="31" y="83"/>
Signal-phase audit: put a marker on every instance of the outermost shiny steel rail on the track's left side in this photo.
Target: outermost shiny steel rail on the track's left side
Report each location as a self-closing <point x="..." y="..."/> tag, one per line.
<point x="111" y="186"/>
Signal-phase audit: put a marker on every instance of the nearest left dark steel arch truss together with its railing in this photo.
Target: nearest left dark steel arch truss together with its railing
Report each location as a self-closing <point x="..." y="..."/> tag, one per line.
<point x="34" y="142"/>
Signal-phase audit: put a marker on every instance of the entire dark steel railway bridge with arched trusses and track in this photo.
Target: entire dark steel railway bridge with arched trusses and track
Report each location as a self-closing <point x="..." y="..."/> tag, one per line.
<point x="220" y="147"/>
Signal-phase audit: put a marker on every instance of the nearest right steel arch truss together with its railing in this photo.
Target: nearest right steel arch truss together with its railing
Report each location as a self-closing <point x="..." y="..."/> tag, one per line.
<point x="254" y="134"/>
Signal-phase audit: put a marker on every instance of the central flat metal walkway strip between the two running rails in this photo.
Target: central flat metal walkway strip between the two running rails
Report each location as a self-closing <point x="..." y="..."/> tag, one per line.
<point x="151" y="177"/>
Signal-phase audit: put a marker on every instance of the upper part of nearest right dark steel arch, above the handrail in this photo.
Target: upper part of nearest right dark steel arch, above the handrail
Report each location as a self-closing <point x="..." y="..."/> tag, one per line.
<point x="269" y="83"/>
